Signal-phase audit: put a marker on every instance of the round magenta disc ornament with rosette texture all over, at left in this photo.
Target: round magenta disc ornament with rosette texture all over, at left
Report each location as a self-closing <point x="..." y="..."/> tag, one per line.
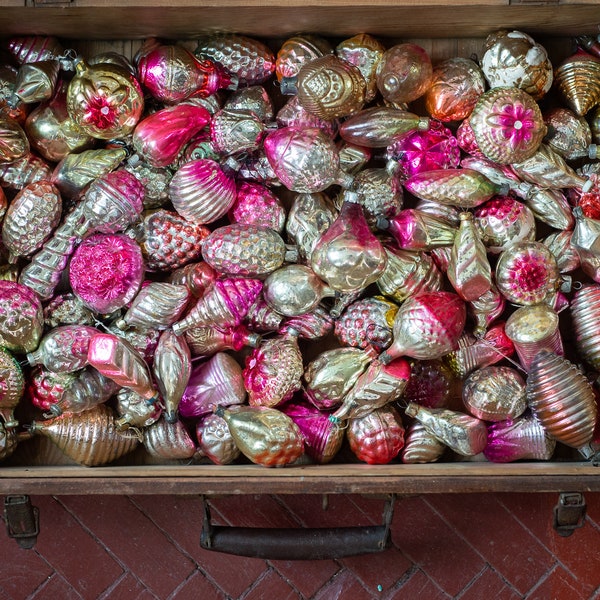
<point x="106" y="272"/>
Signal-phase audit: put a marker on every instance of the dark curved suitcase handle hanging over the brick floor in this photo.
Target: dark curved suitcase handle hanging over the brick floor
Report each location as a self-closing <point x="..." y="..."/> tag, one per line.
<point x="297" y="543"/>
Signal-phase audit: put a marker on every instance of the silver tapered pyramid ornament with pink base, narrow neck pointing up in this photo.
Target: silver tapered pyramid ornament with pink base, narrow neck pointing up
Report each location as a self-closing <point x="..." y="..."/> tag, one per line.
<point x="469" y="270"/>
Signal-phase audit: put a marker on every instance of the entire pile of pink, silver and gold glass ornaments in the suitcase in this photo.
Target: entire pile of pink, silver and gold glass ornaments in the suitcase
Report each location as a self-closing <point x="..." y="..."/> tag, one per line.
<point x="312" y="253"/>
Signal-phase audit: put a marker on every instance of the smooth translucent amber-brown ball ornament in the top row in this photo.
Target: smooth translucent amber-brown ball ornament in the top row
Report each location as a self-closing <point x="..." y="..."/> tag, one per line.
<point x="404" y="73"/>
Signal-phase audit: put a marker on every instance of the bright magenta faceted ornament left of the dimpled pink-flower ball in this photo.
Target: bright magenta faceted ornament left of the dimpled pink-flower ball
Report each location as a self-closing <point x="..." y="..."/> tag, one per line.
<point x="418" y="151"/>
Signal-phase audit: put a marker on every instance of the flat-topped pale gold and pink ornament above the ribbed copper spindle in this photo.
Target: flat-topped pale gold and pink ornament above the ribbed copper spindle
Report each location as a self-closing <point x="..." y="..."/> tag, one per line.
<point x="532" y="329"/>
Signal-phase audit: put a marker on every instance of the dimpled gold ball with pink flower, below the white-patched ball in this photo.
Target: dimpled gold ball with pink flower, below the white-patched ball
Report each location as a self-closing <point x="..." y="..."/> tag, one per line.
<point x="508" y="125"/>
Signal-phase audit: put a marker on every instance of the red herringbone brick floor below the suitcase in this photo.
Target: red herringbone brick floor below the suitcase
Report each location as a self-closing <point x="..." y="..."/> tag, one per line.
<point x="463" y="546"/>
